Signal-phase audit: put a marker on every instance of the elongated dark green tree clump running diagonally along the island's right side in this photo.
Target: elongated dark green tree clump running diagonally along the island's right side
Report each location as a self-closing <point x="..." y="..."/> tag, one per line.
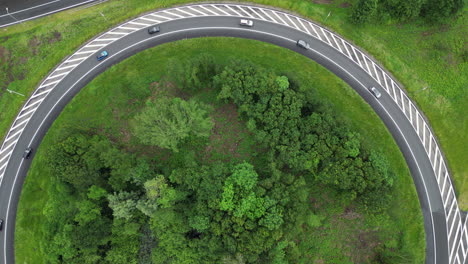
<point x="299" y="137"/>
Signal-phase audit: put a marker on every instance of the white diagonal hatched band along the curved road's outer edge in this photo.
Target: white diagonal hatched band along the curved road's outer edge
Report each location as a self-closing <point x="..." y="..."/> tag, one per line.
<point x="258" y="11"/>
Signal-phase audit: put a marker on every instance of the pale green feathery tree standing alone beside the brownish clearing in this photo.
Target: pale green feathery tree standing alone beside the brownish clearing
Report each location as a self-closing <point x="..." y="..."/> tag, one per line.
<point x="168" y="122"/>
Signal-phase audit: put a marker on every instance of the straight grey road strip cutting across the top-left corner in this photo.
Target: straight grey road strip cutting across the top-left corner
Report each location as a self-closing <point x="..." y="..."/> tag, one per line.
<point x="23" y="10"/>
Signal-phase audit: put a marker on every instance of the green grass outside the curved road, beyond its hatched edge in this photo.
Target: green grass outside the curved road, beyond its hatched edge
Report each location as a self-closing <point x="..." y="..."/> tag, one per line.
<point x="430" y="61"/>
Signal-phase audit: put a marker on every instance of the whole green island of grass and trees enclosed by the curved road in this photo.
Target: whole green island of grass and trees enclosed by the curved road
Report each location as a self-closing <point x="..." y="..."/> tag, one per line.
<point x="226" y="157"/>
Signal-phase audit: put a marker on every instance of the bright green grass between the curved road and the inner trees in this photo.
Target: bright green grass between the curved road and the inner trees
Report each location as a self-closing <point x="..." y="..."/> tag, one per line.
<point x="108" y="102"/>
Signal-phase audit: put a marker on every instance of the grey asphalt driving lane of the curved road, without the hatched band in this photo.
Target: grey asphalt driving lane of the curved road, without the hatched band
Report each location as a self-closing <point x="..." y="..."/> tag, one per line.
<point x="399" y="126"/>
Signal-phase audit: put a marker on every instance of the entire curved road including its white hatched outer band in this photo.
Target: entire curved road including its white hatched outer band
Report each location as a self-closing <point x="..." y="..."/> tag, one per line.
<point x="340" y="57"/>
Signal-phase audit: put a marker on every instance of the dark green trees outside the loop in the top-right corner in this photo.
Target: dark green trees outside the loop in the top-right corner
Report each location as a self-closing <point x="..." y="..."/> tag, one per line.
<point x="431" y="10"/>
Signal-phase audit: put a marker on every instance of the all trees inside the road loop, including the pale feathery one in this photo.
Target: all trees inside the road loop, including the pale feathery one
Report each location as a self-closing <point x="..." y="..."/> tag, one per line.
<point x="108" y="205"/>
